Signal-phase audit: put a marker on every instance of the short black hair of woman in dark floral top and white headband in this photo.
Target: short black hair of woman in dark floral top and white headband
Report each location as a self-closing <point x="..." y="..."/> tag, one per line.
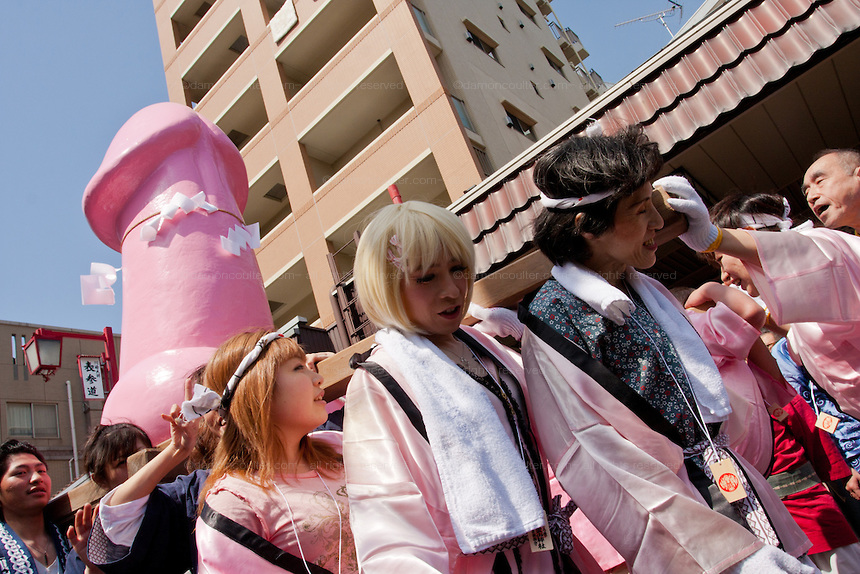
<point x="580" y="166"/>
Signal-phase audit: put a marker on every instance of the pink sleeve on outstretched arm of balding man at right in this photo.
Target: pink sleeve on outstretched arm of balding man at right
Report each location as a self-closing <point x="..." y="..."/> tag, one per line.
<point x="809" y="276"/>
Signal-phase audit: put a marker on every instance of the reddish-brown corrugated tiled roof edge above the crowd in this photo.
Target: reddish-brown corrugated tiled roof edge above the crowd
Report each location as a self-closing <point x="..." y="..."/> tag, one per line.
<point x="730" y="57"/>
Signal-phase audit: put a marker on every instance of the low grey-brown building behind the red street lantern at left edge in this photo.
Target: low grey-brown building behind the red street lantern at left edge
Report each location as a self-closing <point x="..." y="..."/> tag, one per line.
<point x="19" y="387"/>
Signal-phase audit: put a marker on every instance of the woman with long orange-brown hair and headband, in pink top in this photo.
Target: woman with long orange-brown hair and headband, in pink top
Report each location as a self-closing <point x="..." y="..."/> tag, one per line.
<point x="276" y="498"/>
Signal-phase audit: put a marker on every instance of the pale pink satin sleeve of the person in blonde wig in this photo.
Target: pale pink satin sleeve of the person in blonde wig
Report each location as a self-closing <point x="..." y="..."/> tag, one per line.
<point x="393" y="502"/>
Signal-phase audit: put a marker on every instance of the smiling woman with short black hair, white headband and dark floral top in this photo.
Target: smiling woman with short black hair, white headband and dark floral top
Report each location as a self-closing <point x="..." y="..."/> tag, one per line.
<point x="630" y="401"/>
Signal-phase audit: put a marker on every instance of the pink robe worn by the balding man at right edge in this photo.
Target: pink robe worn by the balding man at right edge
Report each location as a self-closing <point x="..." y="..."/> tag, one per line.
<point x="811" y="279"/>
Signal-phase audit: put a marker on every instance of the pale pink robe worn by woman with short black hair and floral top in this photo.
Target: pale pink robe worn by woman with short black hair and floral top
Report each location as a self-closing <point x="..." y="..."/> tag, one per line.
<point x="630" y="481"/>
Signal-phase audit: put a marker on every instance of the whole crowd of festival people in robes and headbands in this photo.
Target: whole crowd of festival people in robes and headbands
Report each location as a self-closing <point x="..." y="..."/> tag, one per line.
<point x="712" y="429"/>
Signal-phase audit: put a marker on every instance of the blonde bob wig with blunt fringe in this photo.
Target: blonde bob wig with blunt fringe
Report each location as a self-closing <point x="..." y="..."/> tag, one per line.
<point x="402" y="239"/>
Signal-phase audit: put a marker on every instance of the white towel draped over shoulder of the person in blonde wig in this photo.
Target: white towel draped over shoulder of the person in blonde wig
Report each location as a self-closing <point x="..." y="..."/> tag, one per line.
<point x="488" y="490"/>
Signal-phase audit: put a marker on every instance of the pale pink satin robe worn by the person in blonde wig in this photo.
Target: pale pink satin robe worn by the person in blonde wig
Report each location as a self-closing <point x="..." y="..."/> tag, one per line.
<point x="399" y="514"/>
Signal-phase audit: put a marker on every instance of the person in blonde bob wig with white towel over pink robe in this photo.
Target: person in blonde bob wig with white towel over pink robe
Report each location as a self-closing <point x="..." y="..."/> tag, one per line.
<point x="442" y="464"/>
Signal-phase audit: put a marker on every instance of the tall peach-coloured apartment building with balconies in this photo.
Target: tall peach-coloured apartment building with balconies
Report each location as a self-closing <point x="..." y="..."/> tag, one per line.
<point x="330" y="102"/>
